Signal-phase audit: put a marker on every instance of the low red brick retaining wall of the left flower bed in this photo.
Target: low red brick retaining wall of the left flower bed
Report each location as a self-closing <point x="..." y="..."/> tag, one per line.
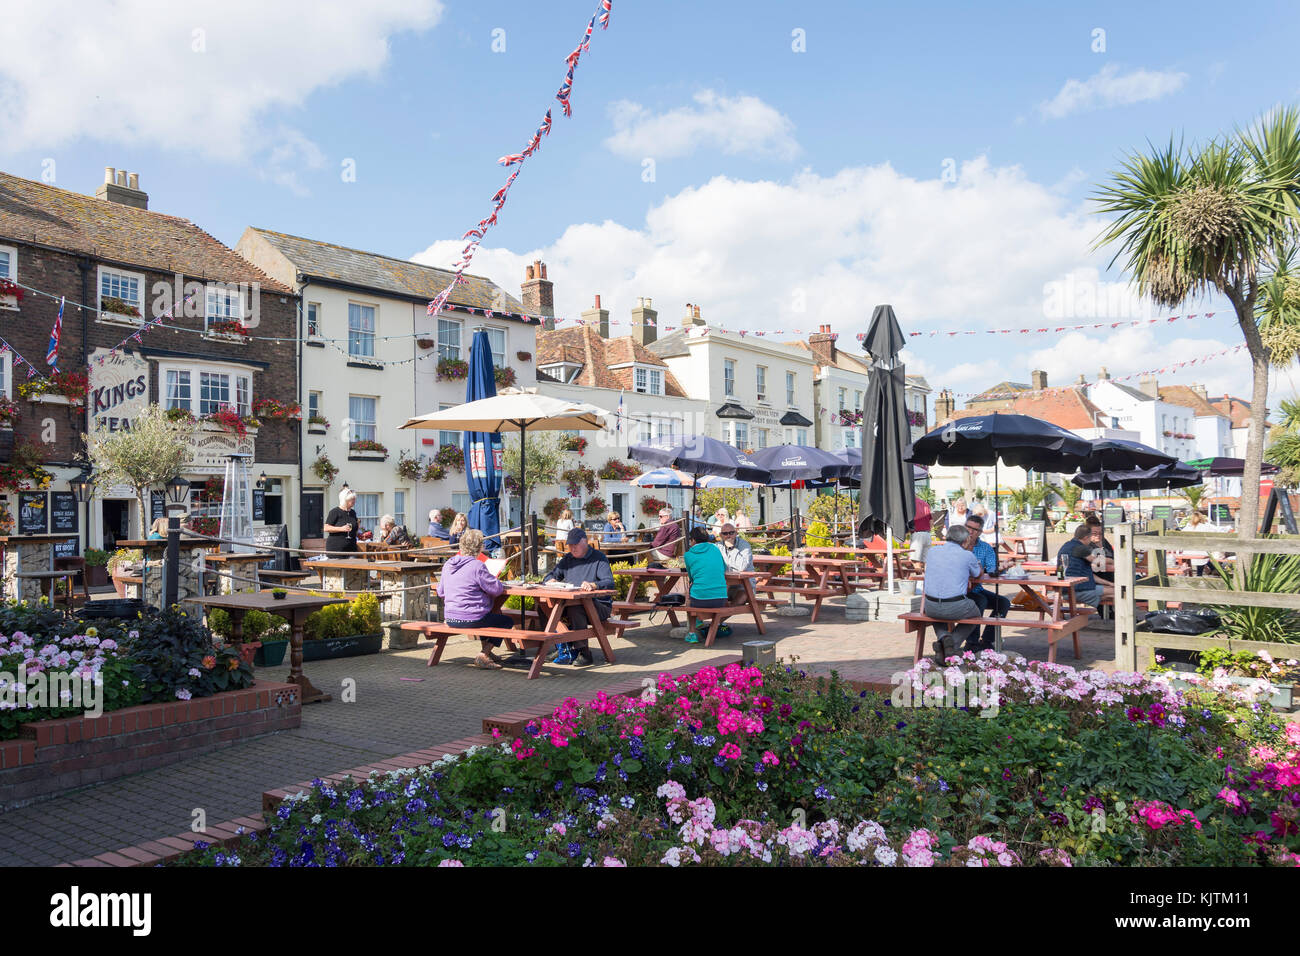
<point x="51" y="758"/>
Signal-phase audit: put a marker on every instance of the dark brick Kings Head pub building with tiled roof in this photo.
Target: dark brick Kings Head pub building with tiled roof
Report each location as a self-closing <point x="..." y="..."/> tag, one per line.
<point x="120" y="266"/>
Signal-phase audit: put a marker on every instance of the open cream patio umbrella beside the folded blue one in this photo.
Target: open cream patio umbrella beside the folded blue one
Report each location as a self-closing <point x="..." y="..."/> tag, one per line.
<point x="515" y="410"/>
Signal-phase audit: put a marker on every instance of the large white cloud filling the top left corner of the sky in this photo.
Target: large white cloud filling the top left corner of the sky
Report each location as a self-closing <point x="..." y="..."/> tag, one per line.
<point x="201" y="76"/>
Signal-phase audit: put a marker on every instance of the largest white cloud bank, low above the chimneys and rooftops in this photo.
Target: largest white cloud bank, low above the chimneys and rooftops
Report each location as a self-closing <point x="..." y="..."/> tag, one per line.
<point x="993" y="250"/>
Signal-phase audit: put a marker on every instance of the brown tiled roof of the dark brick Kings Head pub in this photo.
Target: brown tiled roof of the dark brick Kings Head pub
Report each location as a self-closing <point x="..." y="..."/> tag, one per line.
<point x="46" y="215"/>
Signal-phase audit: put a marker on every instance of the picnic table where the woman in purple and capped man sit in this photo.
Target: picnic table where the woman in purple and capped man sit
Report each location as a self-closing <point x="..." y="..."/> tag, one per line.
<point x="553" y="605"/>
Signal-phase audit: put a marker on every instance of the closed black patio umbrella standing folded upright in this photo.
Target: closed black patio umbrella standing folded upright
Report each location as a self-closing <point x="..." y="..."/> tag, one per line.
<point x="889" y="496"/>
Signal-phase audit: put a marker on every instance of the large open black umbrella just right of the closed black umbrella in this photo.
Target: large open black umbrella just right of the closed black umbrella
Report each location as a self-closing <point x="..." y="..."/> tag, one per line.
<point x="1017" y="440"/>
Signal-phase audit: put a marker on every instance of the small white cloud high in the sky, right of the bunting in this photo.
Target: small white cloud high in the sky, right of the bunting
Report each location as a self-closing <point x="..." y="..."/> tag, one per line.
<point x="730" y="124"/>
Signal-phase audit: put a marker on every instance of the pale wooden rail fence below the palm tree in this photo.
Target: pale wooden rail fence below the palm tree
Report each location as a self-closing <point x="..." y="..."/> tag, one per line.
<point x="1158" y="589"/>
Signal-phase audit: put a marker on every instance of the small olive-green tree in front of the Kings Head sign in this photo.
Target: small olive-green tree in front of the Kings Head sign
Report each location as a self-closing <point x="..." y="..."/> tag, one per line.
<point x="154" y="451"/>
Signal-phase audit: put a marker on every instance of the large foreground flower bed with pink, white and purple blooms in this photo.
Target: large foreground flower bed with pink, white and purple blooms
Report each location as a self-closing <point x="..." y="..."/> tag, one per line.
<point x="1076" y="768"/>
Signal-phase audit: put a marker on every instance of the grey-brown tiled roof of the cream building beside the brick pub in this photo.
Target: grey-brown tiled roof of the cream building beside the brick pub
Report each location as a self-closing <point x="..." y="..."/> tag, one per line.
<point x="384" y="274"/>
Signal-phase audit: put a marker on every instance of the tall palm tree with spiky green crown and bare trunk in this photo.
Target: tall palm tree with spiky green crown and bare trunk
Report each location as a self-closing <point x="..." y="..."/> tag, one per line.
<point x="1219" y="219"/>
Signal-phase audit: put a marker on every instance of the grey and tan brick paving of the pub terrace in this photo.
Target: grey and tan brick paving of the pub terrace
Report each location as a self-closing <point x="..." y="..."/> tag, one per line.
<point x="392" y="716"/>
